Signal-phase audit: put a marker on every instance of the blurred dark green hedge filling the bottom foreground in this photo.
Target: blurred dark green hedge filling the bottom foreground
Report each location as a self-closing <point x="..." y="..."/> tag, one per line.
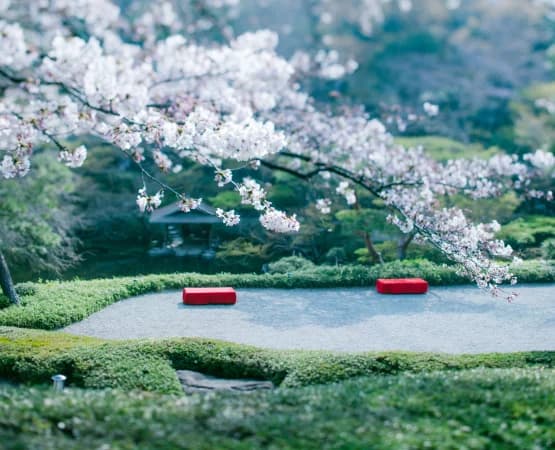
<point x="476" y="409"/>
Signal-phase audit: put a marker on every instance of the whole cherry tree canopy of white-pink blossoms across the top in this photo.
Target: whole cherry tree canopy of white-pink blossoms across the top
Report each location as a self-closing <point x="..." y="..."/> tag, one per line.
<point x="160" y="95"/>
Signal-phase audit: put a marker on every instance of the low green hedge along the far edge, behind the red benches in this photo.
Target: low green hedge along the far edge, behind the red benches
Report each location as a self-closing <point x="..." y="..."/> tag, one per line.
<point x="53" y="305"/>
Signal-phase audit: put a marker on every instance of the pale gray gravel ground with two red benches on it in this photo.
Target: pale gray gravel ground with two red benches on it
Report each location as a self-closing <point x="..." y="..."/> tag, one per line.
<point x="459" y="319"/>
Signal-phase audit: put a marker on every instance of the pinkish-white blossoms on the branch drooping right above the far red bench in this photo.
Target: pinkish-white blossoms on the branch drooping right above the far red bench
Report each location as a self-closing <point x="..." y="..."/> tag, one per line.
<point x="412" y="184"/>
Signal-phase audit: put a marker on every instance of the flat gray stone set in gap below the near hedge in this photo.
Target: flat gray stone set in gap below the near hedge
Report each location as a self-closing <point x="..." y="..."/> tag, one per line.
<point x="199" y="382"/>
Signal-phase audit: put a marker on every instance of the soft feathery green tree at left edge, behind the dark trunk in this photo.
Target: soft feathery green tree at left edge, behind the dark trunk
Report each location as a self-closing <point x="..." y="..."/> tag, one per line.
<point x="37" y="219"/>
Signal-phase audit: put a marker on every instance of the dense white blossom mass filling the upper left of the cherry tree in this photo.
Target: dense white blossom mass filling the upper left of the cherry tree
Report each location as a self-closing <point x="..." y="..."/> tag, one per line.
<point x="159" y="100"/>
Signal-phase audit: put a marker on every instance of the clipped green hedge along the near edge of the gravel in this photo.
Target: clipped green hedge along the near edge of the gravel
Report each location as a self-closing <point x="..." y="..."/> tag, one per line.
<point x="34" y="356"/>
